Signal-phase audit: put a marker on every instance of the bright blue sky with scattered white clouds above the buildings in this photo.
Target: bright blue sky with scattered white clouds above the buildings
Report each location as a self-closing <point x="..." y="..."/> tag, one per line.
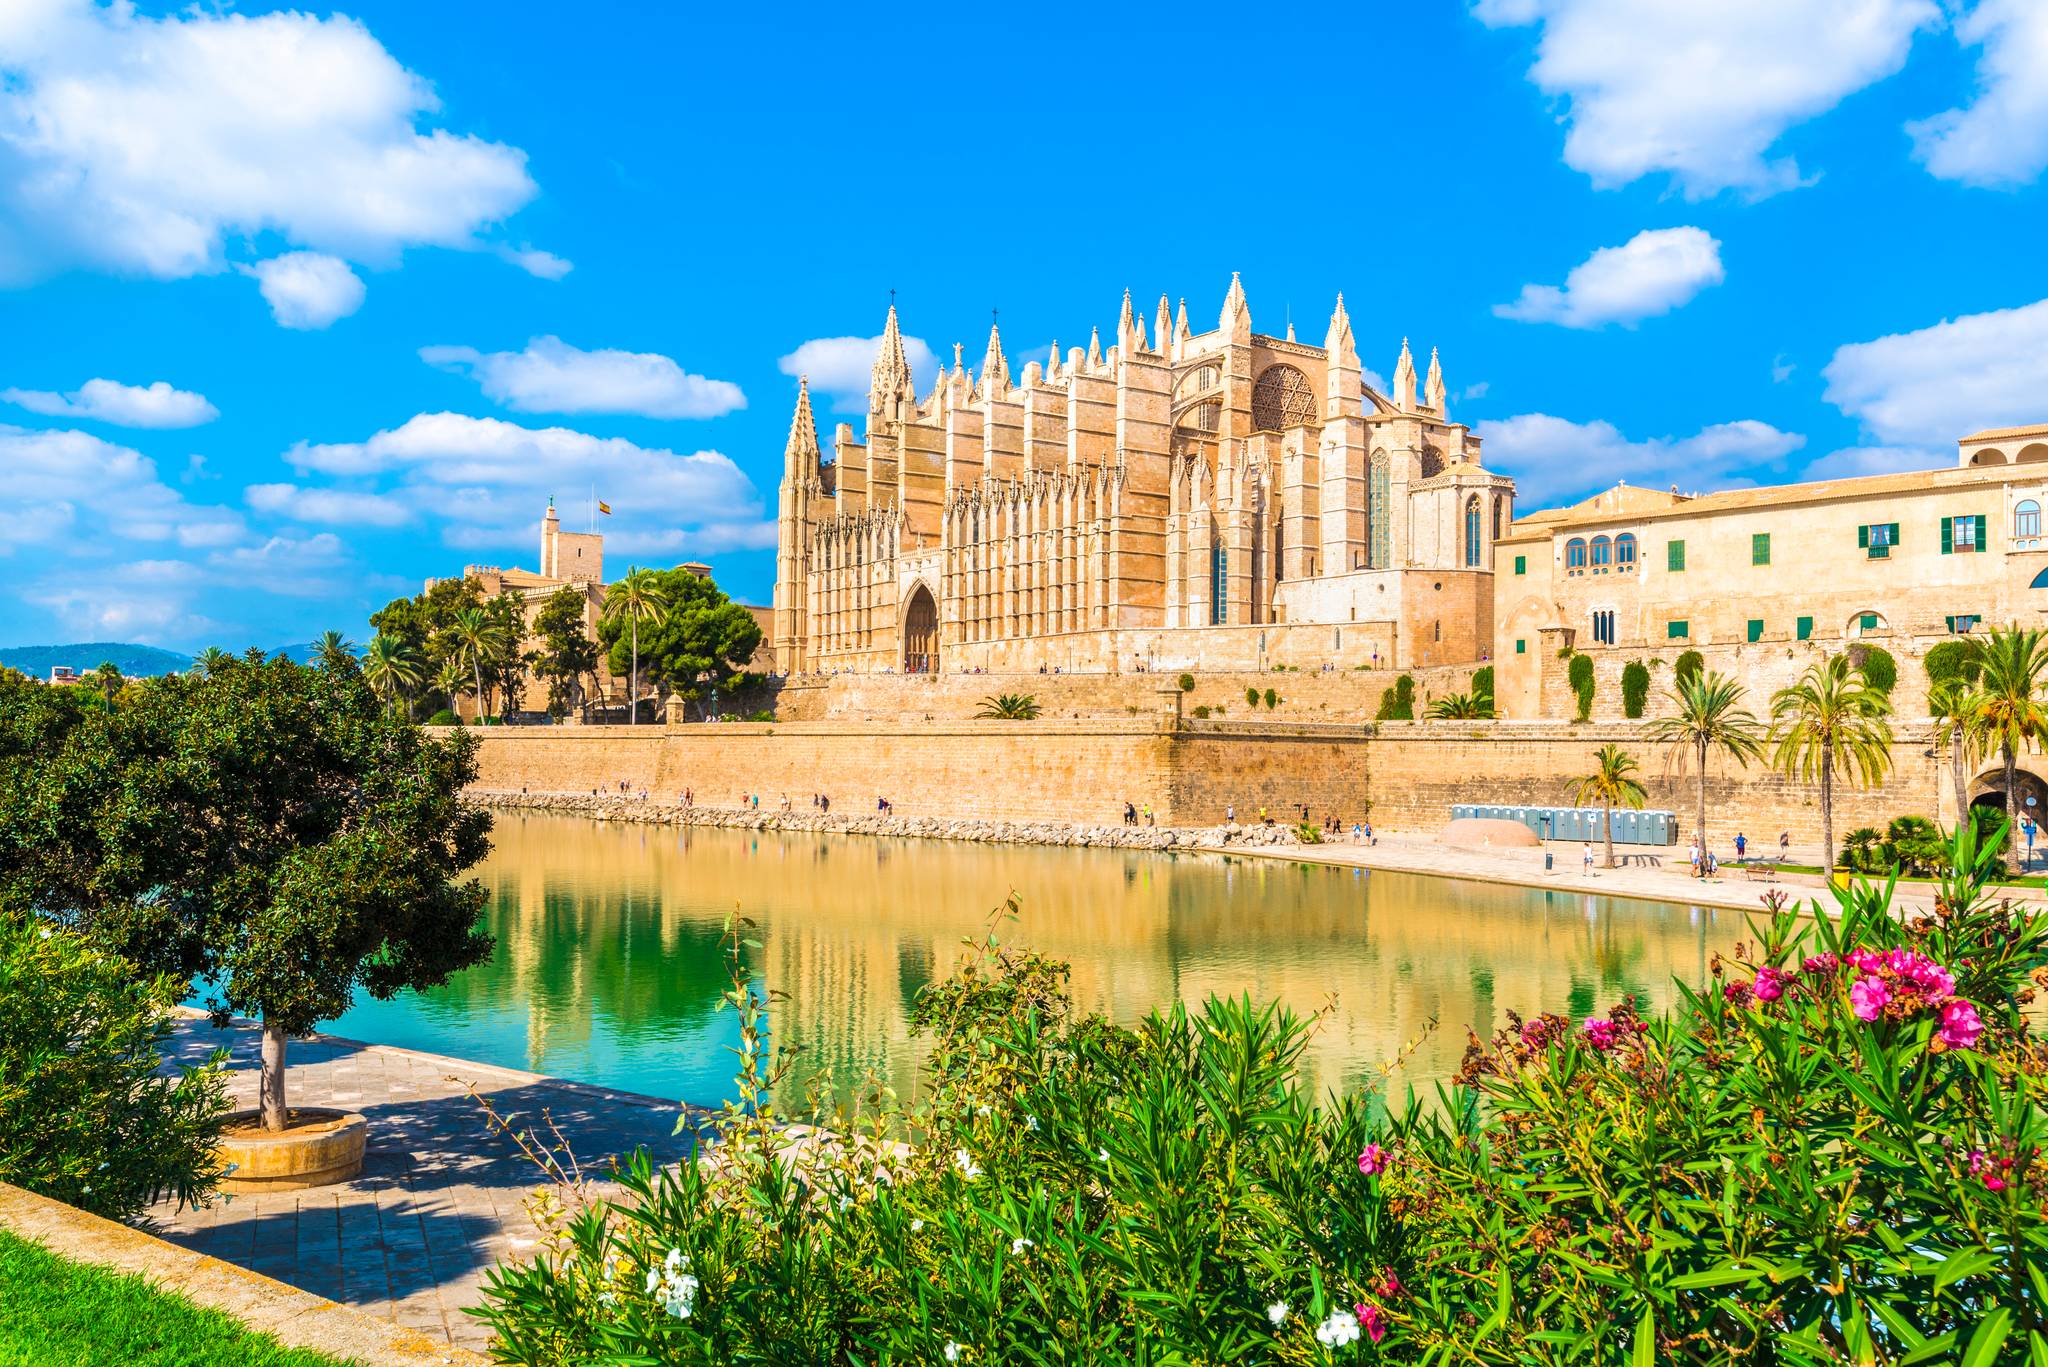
<point x="304" y="306"/>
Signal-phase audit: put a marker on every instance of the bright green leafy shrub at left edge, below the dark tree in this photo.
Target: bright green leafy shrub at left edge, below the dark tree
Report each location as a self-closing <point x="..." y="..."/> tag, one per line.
<point x="89" y="1114"/>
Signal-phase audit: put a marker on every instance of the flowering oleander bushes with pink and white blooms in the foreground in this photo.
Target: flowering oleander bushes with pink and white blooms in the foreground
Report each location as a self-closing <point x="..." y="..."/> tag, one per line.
<point x="1828" y="1153"/>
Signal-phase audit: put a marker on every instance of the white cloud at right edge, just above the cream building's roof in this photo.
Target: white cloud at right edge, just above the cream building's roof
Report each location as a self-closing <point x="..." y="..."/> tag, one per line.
<point x="1932" y="386"/>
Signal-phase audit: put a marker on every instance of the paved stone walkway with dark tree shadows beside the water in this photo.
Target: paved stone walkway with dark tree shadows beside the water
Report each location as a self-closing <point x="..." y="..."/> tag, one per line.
<point x="441" y="1194"/>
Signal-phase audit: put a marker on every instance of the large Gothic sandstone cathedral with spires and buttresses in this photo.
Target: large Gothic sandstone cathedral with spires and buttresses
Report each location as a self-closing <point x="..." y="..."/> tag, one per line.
<point x="1177" y="501"/>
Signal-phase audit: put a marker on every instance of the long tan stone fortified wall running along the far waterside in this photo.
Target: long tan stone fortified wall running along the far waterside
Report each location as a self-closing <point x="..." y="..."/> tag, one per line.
<point x="1406" y="776"/>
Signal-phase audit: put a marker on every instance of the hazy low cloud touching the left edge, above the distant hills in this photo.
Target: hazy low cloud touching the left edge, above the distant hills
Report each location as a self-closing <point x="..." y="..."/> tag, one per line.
<point x="73" y="491"/>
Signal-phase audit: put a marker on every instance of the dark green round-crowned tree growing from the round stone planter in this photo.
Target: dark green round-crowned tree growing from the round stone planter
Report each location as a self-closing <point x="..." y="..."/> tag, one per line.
<point x="273" y="833"/>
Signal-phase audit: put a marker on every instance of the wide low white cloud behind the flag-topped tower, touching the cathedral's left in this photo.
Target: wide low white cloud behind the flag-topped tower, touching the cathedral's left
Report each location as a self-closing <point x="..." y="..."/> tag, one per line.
<point x="488" y="483"/>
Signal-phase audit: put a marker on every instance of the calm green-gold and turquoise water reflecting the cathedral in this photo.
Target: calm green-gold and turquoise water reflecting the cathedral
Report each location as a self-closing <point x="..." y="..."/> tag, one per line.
<point x="609" y="966"/>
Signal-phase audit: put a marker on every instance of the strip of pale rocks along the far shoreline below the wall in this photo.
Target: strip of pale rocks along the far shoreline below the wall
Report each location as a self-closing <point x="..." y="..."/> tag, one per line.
<point x="912" y="827"/>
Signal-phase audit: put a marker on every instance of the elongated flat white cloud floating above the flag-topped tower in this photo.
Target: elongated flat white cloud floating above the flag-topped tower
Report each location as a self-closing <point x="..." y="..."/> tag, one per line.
<point x="552" y="376"/>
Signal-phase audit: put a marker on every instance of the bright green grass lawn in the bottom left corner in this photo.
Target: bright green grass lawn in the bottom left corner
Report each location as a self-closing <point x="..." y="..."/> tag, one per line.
<point x="69" y="1315"/>
